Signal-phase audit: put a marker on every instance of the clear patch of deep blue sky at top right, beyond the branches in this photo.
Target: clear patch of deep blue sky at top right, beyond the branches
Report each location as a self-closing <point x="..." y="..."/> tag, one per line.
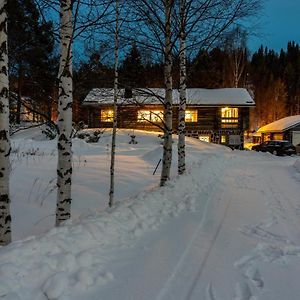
<point x="279" y="23"/>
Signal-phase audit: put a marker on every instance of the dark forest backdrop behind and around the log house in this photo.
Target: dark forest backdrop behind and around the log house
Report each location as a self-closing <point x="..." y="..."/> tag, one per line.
<point x="272" y="78"/>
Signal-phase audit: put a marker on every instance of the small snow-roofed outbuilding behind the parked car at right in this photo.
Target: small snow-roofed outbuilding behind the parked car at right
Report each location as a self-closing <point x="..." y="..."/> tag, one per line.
<point x="284" y="129"/>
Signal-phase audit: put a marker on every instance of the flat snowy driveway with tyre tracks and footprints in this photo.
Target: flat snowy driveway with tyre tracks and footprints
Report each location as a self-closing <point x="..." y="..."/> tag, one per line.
<point x="233" y="247"/>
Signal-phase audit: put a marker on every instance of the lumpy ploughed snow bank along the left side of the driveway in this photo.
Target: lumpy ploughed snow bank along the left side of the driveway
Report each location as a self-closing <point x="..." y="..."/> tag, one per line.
<point x="72" y="257"/>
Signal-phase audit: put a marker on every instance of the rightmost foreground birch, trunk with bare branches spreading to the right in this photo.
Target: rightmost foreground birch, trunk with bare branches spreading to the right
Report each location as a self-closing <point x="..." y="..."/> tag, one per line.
<point x="203" y="22"/>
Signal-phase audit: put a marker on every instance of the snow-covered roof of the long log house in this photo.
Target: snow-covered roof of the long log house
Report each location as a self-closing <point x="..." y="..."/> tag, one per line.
<point x="195" y="96"/>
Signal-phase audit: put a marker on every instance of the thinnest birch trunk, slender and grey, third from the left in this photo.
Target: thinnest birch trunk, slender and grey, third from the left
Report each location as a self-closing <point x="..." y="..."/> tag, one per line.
<point x="115" y="120"/>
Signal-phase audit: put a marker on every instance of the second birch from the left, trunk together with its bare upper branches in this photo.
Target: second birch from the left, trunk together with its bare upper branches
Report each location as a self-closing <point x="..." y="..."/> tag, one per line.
<point x="77" y="19"/>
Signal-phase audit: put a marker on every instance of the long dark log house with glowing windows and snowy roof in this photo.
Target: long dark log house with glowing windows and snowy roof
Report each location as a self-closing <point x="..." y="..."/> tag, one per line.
<point x="212" y="115"/>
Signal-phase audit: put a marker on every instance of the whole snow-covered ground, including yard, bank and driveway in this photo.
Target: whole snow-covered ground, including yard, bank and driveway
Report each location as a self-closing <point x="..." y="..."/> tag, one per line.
<point x="229" y="229"/>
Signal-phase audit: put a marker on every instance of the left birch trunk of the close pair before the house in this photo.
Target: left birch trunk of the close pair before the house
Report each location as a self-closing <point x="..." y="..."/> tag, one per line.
<point x="168" y="103"/>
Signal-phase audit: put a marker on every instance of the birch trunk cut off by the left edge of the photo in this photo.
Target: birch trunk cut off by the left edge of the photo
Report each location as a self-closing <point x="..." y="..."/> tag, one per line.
<point x="5" y="218"/>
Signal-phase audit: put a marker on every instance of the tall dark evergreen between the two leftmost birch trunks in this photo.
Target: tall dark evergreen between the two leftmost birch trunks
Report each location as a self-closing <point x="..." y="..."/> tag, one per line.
<point x="32" y="65"/>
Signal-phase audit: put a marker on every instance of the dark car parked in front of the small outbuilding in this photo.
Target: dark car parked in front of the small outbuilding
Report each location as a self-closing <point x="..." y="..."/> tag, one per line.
<point x="276" y="147"/>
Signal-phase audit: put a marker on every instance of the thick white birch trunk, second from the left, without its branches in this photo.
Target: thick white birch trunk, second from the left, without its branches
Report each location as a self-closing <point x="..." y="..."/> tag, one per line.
<point x="64" y="166"/>
